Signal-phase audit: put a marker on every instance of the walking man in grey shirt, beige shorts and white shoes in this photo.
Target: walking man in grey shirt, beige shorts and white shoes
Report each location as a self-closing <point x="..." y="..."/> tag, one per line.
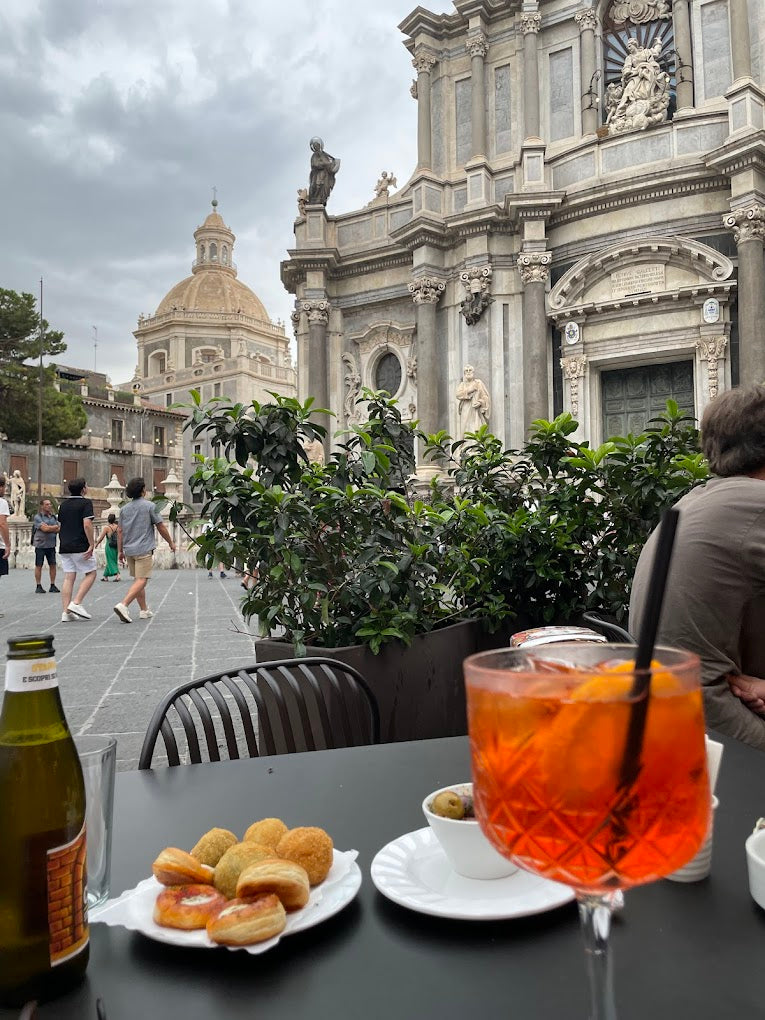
<point x="136" y="543"/>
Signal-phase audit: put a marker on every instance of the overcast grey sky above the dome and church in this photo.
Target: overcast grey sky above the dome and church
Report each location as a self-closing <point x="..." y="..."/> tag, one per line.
<point x="118" y="118"/>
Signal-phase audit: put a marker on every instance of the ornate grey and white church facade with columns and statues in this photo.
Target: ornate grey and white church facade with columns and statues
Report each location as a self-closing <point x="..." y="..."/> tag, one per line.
<point x="584" y="230"/>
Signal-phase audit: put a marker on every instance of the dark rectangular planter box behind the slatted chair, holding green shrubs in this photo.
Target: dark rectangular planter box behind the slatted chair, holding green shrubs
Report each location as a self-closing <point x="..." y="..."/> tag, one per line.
<point x="421" y="690"/>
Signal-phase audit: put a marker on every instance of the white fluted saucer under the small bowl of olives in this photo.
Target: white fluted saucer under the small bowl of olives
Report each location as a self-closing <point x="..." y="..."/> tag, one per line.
<point x="415" y="873"/>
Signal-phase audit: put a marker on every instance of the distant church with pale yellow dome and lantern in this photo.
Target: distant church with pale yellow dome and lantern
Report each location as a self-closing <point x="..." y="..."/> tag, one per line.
<point x="213" y="334"/>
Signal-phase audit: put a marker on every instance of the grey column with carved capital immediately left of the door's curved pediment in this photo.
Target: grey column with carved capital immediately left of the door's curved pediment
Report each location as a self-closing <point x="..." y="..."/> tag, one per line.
<point x="535" y="269"/>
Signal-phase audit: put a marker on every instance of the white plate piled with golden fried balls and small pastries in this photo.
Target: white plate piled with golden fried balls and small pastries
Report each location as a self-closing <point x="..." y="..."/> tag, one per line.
<point x="239" y="894"/>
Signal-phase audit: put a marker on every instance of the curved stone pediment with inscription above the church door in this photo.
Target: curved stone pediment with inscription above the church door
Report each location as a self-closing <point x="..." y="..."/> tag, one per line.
<point x="637" y="270"/>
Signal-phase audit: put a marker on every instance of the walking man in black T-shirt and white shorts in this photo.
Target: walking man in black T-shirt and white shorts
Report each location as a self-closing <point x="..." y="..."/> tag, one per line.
<point x="76" y="547"/>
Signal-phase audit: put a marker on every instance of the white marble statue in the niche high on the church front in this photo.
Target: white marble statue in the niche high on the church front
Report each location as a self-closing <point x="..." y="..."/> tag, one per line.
<point x="641" y="99"/>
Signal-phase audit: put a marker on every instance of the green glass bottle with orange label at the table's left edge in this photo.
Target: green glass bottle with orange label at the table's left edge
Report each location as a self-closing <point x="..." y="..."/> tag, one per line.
<point x="43" y="862"/>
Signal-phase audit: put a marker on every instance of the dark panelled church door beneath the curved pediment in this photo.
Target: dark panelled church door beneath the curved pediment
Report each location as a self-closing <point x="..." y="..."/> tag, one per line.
<point x="632" y="397"/>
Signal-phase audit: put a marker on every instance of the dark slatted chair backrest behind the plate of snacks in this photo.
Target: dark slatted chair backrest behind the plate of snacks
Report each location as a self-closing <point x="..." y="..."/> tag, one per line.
<point x="270" y="708"/>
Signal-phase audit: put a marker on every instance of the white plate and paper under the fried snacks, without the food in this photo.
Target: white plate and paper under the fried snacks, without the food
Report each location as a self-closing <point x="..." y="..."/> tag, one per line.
<point x="134" y="909"/>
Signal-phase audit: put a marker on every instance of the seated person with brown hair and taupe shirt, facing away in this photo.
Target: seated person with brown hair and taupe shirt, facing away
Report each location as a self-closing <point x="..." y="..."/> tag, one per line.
<point x="716" y="598"/>
